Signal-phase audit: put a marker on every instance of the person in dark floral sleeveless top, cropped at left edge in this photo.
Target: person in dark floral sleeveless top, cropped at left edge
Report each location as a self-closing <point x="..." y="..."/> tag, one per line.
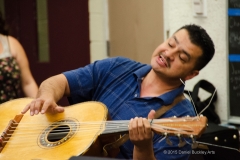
<point x="15" y="74"/>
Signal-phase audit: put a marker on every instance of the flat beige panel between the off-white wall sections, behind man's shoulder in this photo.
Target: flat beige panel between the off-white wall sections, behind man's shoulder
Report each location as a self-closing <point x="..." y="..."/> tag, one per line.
<point x="135" y="28"/>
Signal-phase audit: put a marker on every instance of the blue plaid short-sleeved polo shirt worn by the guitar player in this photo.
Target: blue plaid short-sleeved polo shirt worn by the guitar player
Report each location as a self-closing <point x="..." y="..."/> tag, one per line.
<point x="116" y="82"/>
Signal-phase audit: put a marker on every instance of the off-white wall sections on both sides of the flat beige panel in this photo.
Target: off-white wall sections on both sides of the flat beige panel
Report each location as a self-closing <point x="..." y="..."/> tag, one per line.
<point x="176" y="14"/>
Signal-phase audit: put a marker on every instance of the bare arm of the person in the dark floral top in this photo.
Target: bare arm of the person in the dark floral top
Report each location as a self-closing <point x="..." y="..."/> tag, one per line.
<point x="28" y="83"/>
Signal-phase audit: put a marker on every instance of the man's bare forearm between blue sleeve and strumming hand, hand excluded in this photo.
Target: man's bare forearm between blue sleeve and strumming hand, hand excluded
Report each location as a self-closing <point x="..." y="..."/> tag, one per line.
<point x="54" y="87"/>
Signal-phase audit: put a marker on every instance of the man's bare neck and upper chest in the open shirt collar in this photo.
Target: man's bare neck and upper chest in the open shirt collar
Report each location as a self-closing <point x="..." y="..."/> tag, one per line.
<point x="153" y="85"/>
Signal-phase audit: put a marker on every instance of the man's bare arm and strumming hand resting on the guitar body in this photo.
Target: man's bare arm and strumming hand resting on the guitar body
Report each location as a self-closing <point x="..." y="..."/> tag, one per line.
<point x="50" y="92"/>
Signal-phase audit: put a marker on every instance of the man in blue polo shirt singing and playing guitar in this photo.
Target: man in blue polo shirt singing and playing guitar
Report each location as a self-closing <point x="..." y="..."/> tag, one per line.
<point x="132" y="90"/>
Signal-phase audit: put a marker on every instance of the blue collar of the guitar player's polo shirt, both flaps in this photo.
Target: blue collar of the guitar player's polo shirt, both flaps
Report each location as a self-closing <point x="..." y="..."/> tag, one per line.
<point x="168" y="97"/>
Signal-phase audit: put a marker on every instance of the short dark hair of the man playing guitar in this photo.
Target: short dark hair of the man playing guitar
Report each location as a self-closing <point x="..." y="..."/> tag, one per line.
<point x="200" y="37"/>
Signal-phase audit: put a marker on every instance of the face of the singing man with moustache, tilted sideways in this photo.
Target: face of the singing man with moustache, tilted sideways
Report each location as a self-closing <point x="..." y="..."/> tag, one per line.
<point x="176" y="57"/>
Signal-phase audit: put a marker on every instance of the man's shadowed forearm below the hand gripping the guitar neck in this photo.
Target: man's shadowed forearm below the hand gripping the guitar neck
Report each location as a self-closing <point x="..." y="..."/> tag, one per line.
<point x="144" y="153"/>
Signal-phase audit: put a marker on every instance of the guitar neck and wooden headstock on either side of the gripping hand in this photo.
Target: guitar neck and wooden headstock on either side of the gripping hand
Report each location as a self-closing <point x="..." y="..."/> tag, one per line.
<point x="185" y="126"/>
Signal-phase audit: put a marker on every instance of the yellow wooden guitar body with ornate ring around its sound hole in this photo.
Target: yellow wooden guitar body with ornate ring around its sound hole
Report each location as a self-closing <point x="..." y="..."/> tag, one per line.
<point x="30" y="139"/>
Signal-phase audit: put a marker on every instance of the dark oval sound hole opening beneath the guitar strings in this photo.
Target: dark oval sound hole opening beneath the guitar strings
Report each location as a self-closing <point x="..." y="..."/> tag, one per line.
<point x="58" y="133"/>
